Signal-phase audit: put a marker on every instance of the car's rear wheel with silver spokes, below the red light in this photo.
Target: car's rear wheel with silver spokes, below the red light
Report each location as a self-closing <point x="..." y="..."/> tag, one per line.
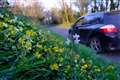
<point x="95" y="44"/>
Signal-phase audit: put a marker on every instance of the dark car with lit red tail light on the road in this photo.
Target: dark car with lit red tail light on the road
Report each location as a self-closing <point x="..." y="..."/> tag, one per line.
<point x="100" y="31"/>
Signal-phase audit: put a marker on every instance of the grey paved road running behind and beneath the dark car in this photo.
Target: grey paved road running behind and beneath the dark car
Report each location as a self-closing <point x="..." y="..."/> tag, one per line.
<point x="112" y="56"/>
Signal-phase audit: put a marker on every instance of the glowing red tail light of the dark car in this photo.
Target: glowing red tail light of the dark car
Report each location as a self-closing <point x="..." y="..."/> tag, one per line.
<point x="108" y="29"/>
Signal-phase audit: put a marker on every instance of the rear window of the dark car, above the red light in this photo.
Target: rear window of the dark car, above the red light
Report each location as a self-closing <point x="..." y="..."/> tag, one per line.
<point x="112" y="18"/>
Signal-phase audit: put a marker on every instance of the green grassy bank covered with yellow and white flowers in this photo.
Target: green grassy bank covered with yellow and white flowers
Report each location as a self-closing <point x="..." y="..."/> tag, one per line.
<point x="27" y="53"/>
